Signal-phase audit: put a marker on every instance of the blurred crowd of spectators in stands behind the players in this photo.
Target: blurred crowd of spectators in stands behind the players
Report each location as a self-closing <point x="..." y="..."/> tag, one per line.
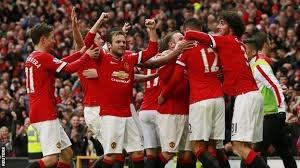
<point x="280" y="19"/>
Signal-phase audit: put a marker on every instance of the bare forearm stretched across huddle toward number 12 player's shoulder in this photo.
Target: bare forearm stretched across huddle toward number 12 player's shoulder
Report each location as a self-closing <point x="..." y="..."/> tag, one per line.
<point x="170" y="56"/>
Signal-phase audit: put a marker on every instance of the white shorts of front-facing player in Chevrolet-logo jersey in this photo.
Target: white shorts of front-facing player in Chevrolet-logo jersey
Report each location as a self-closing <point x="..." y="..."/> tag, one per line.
<point x="118" y="133"/>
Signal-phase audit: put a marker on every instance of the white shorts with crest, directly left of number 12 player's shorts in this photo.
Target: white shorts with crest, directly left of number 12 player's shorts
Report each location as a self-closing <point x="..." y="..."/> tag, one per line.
<point x="173" y="133"/>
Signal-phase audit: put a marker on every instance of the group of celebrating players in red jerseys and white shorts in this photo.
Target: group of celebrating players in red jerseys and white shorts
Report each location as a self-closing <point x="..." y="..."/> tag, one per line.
<point x="183" y="111"/>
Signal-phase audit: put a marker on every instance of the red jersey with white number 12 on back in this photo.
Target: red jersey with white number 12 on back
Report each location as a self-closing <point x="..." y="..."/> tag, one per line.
<point x="202" y="65"/>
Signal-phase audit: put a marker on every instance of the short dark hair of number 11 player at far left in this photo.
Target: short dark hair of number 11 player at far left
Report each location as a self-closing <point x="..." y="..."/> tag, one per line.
<point x="40" y="30"/>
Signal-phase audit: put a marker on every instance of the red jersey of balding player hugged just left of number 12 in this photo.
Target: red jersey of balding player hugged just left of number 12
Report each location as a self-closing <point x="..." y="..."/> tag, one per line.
<point x="178" y="100"/>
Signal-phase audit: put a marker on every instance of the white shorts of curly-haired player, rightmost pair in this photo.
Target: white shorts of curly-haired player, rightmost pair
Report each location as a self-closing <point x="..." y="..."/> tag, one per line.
<point x="247" y="120"/>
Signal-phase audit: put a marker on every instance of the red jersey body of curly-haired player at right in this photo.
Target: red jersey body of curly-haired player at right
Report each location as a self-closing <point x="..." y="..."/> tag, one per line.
<point x="238" y="78"/>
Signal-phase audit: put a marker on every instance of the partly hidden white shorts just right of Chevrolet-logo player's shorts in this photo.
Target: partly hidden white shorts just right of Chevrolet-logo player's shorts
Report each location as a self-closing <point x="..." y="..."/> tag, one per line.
<point x="148" y="120"/>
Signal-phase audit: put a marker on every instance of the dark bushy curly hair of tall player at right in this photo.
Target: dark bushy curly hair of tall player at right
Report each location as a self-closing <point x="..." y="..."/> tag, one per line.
<point x="234" y="21"/>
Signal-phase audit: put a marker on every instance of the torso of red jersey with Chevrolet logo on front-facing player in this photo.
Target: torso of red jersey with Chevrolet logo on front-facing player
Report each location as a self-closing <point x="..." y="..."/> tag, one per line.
<point x="116" y="83"/>
